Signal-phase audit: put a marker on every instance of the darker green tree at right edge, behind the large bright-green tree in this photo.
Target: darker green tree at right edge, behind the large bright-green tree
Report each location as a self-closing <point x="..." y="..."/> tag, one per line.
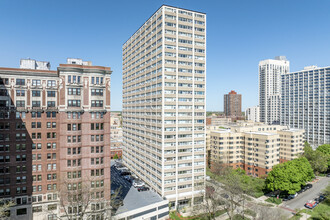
<point x="318" y="159"/>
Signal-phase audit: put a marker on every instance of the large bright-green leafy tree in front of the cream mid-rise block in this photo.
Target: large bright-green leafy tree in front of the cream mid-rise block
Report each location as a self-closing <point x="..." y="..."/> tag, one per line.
<point x="289" y="176"/>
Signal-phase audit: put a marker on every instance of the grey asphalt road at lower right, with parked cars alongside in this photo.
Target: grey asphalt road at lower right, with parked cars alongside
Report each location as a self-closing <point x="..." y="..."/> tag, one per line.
<point x="310" y="194"/>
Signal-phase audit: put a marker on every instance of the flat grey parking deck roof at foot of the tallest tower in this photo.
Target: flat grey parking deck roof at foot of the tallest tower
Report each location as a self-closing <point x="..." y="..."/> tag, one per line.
<point x="135" y="200"/>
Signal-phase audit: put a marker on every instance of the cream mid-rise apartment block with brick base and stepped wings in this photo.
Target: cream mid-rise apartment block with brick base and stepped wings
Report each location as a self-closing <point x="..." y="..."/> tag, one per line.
<point x="254" y="147"/>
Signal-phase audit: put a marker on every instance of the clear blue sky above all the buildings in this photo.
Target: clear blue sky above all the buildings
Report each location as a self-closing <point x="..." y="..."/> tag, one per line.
<point x="240" y="33"/>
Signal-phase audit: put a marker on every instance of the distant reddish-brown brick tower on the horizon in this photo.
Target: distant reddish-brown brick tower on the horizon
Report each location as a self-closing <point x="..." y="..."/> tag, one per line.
<point x="232" y="104"/>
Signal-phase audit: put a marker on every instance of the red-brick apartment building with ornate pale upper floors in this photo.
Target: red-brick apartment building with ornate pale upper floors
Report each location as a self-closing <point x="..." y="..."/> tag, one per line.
<point x="54" y="137"/>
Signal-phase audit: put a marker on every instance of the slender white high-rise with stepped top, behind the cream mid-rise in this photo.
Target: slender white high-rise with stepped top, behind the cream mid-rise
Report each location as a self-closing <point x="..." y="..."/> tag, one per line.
<point x="270" y="88"/>
